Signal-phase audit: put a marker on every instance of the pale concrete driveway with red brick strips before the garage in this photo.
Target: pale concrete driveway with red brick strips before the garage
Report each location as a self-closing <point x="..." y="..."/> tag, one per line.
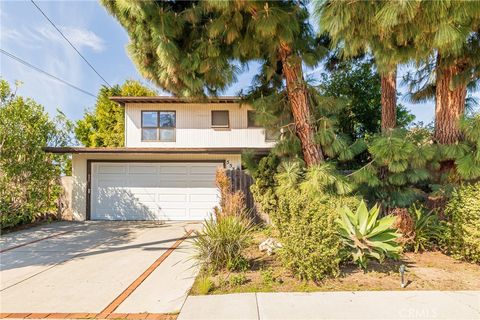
<point x="96" y="268"/>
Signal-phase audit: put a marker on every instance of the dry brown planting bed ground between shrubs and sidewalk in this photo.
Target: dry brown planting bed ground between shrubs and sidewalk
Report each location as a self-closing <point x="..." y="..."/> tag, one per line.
<point x="425" y="271"/>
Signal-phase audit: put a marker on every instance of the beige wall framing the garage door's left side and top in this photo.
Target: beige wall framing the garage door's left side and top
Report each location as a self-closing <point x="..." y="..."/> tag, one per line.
<point x="79" y="171"/>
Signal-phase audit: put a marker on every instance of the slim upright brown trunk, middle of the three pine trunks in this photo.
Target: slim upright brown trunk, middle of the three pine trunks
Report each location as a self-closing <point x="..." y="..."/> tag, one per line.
<point x="389" y="100"/>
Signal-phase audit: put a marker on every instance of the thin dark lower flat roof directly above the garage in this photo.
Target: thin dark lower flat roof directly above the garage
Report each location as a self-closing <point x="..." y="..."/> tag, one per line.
<point x="155" y="150"/>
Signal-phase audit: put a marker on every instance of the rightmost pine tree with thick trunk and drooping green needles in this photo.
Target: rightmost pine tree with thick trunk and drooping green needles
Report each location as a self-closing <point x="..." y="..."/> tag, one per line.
<point x="445" y="36"/>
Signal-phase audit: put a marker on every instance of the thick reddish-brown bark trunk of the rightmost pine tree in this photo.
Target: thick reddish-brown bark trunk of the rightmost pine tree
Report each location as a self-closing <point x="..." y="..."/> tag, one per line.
<point x="449" y="104"/>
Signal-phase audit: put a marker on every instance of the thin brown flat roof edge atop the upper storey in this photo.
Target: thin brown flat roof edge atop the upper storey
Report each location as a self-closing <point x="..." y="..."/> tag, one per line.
<point x="168" y="99"/>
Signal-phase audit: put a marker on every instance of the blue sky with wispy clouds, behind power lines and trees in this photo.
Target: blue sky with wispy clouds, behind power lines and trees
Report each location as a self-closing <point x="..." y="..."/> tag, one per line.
<point x="27" y="34"/>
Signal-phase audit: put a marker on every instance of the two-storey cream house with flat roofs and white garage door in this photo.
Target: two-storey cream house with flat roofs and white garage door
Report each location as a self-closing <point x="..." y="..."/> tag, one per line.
<point x="166" y="171"/>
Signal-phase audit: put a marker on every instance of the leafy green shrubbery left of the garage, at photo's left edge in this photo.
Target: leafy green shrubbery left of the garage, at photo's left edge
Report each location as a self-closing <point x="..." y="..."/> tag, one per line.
<point x="29" y="186"/>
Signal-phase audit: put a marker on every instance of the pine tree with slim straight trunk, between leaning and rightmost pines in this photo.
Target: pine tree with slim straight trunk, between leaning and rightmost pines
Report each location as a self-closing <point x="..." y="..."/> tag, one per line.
<point x="353" y="27"/>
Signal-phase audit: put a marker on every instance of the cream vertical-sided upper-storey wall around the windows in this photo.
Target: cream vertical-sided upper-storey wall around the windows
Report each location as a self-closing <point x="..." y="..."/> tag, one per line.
<point x="193" y="126"/>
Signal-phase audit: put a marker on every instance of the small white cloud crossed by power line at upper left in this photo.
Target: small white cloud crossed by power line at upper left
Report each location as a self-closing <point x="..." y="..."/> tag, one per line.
<point x="79" y="37"/>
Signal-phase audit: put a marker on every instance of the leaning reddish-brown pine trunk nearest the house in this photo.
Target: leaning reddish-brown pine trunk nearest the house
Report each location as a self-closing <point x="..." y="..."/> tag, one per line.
<point x="299" y="105"/>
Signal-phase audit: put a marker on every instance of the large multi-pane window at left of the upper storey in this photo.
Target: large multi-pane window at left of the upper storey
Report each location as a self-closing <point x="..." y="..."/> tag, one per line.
<point x="158" y="126"/>
